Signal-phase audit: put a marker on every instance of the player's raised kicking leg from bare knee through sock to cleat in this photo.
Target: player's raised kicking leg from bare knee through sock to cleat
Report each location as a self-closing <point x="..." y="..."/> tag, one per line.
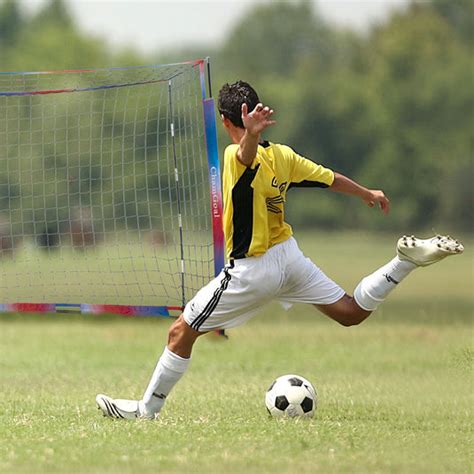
<point x="373" y="289"/>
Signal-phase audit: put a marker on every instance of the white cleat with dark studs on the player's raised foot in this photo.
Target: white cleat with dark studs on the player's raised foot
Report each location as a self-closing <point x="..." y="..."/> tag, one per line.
<point x="424" y="252"/>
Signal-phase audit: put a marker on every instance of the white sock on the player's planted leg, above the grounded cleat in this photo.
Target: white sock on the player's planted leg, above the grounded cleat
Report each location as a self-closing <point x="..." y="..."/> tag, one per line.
<point x="169" y="369"/>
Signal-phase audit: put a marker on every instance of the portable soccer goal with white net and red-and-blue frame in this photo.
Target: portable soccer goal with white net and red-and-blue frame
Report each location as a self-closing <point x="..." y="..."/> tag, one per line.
<point x="109" y="189"/>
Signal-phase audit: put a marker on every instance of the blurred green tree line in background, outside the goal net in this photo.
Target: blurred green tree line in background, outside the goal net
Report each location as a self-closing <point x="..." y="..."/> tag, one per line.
<point x="391" y="107"/>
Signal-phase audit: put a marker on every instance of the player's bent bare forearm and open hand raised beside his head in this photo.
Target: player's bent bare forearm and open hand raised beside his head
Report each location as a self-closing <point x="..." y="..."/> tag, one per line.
<point x="254" y="122"/>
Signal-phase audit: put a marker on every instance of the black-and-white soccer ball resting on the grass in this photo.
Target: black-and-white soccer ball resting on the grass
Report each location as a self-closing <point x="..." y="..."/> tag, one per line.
<point x="291" y="396"/>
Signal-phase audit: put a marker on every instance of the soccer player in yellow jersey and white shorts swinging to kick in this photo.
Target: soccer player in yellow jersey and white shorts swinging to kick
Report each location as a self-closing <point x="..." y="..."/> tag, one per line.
<point x="264" y="261"/>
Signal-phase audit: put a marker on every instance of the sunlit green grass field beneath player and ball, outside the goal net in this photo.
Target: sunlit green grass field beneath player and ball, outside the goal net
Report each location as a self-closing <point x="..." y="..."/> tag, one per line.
<point x="395" y="393"/>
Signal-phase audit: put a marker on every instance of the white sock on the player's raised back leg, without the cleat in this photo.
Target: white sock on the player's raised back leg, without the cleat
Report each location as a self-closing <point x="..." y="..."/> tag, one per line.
<point x="374" y="288"/>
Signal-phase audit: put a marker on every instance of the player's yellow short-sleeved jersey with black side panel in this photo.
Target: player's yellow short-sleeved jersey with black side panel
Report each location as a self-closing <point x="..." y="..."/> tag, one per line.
<point x="254" y="196"/>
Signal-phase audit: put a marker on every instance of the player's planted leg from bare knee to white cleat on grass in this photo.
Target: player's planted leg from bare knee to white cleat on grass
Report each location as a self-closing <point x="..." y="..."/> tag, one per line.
<point x="170" y="368"/>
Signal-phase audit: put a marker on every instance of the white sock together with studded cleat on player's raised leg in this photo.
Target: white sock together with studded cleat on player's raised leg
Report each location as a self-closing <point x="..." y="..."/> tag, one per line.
<point x="411" y="253"/>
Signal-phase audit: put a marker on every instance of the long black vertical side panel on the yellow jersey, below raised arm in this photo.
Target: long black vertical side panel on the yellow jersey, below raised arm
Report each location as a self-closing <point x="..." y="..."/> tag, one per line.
<point x="242" y="220"/>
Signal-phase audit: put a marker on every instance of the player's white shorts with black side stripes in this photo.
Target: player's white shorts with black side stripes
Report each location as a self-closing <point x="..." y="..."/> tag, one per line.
<point x="283" y="273"/>
